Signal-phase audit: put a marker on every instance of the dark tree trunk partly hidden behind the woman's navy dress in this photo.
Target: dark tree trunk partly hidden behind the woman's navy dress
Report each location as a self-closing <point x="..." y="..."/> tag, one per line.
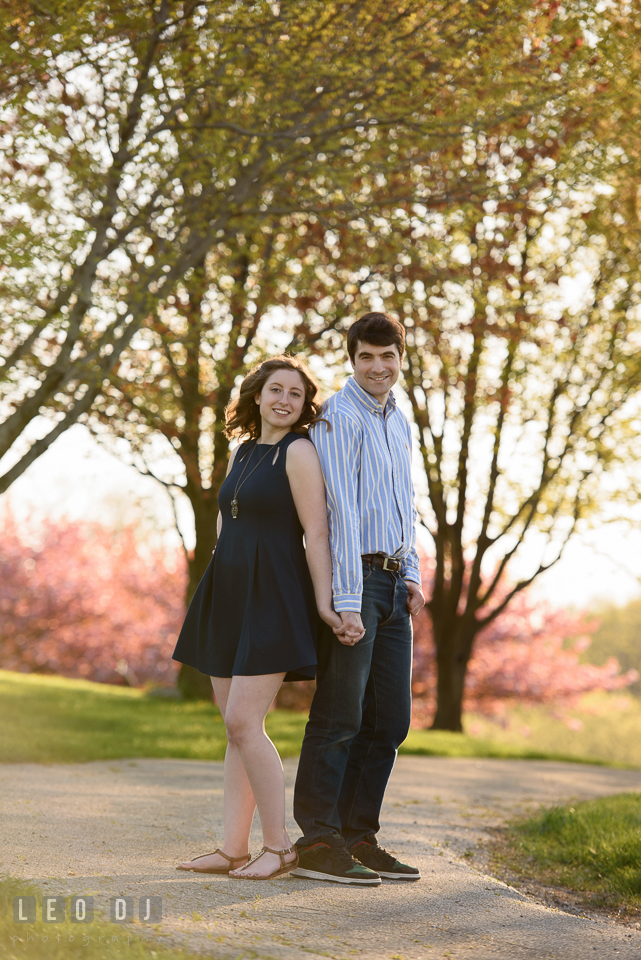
<point x="193" y="684"/>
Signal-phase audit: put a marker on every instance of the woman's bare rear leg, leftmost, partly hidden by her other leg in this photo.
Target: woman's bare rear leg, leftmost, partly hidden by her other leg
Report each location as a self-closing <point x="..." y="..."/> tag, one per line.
<point x="238" y="800"/>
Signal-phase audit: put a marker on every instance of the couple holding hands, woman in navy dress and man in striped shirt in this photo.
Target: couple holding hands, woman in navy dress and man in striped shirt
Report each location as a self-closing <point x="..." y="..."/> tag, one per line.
<point x="315" y="573"/>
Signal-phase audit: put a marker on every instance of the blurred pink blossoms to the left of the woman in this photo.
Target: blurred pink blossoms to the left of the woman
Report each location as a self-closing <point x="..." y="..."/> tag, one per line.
<point x="89" y="602"/>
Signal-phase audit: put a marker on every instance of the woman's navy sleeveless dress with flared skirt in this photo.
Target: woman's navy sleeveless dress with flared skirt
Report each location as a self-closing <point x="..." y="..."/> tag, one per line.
<point x="254" y="610"/>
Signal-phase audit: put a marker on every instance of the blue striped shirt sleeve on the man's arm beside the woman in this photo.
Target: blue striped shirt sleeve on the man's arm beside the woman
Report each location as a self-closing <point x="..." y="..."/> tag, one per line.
<point x="338" y="447"/>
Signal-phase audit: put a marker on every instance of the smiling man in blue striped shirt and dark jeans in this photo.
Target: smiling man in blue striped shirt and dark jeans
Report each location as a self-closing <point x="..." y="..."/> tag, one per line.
<point x="361" y="710"/>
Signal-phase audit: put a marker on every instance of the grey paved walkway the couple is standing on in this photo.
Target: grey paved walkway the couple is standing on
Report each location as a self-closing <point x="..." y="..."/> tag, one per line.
<point x="113" y="829"/>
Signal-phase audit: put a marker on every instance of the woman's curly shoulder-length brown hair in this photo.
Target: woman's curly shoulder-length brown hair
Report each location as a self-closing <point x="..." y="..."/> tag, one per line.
<point x="242" y="416"/>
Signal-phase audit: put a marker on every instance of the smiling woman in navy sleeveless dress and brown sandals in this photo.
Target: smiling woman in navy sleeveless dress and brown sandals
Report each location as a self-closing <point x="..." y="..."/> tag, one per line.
<point x="253" y="619"/>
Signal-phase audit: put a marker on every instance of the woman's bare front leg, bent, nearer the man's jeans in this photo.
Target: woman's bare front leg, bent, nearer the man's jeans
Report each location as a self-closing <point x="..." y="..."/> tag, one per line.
<point x="248" y="701"/>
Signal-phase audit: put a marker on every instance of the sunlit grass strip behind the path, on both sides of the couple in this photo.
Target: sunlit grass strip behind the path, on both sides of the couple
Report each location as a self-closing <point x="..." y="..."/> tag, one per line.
<point x="55" y="720"/>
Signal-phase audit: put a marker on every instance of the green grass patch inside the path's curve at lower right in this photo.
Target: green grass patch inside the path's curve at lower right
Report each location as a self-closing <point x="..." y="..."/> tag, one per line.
<point x="592" y="848"/>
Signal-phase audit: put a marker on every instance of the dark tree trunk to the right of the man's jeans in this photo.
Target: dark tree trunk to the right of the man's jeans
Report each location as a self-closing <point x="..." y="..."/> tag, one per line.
<point x="453" y="648"/>
